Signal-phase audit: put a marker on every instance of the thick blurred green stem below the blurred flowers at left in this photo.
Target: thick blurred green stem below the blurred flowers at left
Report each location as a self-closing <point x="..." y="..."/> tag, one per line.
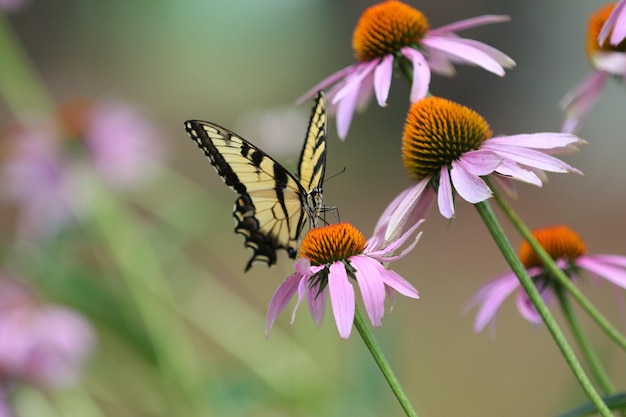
<point x="141" y="269"/>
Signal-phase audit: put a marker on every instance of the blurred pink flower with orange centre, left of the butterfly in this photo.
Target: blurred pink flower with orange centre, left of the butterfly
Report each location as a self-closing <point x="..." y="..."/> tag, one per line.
<point x="49" y="163"/>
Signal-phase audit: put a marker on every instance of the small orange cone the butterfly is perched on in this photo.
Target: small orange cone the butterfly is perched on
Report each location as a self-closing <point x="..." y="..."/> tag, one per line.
<point x="335" y="242"/>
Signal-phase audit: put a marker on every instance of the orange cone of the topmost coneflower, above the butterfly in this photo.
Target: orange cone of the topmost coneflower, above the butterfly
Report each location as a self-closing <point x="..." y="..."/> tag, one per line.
<point x="385" y="28"/>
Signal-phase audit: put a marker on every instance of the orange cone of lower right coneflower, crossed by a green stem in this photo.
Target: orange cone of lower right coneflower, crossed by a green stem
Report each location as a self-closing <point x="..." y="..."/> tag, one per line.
<point x="560" y="242"/>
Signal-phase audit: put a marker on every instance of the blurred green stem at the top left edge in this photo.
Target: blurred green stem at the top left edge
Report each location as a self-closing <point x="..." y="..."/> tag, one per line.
<point x="20" y="84"/>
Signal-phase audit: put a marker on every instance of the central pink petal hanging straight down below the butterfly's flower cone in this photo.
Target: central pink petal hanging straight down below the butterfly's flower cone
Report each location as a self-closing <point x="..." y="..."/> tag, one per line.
<point x="341" y="299"/>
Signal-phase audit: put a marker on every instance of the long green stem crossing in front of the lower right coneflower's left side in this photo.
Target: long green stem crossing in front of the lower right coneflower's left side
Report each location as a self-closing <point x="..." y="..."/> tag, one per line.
<point x="486" y="213"/>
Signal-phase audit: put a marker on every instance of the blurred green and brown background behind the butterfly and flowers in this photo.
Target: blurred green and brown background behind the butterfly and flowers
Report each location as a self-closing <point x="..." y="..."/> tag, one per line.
<point x="242" y="64"/>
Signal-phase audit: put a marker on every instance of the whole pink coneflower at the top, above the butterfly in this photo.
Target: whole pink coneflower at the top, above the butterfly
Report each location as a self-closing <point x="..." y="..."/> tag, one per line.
<point x="392" y="35"/>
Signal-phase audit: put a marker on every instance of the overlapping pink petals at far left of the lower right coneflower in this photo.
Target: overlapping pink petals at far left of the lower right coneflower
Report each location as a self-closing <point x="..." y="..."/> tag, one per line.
<point x="491" y="298"/>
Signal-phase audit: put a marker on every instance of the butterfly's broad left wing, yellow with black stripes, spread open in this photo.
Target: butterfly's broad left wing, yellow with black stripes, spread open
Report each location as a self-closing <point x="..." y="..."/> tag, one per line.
<point x="269" y="211"/>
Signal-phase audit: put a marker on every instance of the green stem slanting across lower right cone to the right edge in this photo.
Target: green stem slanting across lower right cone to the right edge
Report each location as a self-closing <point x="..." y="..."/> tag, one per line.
<point x="560" y="276"/>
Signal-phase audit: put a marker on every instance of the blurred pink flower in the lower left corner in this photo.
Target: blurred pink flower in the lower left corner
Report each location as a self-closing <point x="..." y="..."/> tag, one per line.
<point x="46" y="345"/>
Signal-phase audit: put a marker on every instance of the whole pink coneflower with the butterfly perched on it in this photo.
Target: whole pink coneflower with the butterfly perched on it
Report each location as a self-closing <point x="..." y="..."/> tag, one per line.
<point x="332" y="256"/>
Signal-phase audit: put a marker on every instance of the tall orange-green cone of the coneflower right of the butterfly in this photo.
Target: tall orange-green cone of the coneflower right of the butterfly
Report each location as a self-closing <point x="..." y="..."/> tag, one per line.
<point x="438" y="131"/>
